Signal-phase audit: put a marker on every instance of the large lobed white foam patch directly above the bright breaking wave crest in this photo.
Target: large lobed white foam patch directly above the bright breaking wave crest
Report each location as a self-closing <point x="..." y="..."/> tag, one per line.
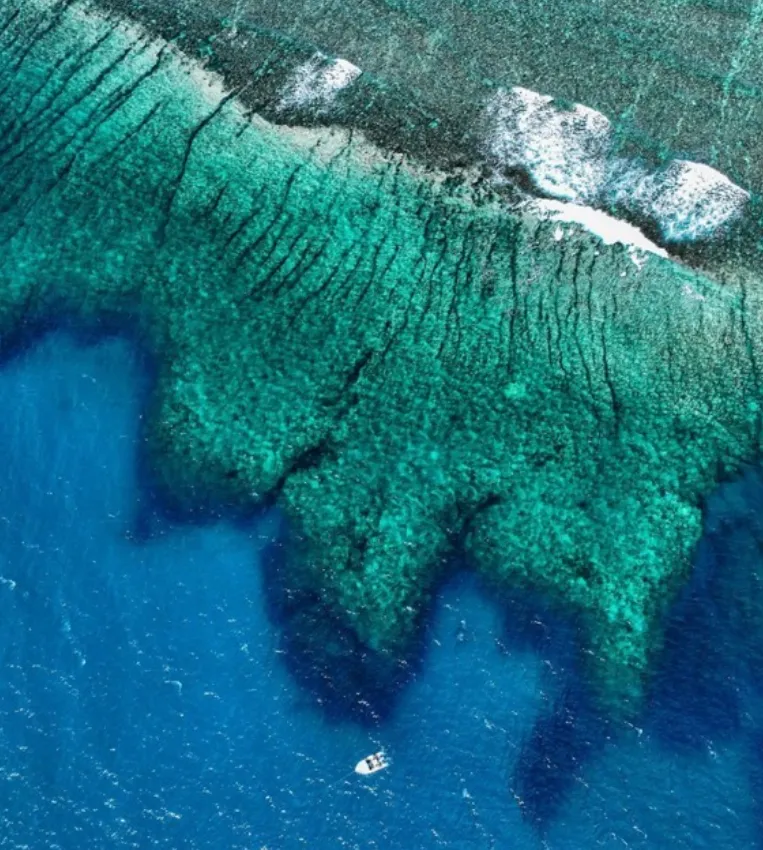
<point x="564" y="151"/>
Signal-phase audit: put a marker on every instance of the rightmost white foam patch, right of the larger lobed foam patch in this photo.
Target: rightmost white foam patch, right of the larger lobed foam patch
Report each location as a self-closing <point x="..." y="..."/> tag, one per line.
<point x="687" y="201"/>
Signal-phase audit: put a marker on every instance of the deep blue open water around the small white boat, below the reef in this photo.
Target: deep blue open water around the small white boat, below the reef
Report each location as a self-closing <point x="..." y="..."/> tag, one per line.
<point x="147" y="698"/>
